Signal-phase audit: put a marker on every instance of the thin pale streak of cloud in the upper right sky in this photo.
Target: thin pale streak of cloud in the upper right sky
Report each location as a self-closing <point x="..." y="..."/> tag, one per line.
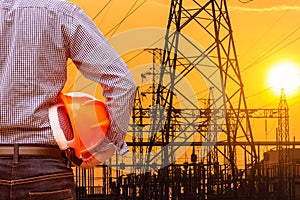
<point x="277" y="8"/>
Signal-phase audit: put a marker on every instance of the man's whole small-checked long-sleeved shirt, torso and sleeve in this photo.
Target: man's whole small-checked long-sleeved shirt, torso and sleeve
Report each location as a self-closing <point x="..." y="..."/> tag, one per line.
<point x="37" y="37"/>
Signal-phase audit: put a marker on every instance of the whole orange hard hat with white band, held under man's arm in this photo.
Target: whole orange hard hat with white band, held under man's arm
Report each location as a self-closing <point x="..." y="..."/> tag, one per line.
<point x="81" y="124"/>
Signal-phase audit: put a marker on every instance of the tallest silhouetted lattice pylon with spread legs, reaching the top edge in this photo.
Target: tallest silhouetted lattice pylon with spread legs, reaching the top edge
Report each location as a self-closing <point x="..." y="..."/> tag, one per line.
<point x="209" y="23"/>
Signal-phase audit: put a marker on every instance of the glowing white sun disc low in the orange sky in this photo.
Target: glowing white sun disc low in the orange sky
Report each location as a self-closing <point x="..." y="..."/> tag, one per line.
<point x="284" y="75"/>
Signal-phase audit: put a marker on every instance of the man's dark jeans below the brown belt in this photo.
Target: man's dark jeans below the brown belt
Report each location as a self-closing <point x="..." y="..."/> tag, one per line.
<point x="36" y="179"/>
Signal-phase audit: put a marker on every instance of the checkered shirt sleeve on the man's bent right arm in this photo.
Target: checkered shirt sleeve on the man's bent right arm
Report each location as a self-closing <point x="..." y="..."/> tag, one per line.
<point x="98" y="61"/>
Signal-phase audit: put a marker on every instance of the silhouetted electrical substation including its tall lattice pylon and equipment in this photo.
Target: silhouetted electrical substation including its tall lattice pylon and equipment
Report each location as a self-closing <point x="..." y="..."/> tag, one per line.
<point x="190" y="135"/>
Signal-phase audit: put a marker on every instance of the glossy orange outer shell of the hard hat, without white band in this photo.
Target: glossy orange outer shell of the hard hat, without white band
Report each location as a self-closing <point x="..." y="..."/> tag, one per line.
<point x="88" y="119"/>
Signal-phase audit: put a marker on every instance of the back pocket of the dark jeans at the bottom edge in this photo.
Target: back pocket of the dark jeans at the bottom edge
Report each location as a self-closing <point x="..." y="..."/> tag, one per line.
<point x="65" y="194"/>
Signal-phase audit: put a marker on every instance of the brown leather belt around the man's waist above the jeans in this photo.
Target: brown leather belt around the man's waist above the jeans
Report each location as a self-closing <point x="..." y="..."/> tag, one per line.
<point x="33" y="151"/>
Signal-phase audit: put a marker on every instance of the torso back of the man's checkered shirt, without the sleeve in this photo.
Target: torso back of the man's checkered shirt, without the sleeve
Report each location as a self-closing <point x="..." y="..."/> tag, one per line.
<point x="33" y="56"/>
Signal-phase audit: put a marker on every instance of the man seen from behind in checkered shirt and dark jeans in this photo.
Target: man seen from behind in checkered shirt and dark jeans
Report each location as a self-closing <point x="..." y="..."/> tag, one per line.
<point x="37" y="37"/>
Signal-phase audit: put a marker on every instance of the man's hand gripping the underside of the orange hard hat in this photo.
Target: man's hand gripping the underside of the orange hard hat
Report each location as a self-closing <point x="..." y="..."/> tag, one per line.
<point x="97" y="158"/>
